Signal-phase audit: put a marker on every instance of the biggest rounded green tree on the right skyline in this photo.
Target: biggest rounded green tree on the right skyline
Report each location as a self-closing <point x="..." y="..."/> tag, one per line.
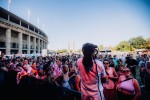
<point x="137" y="42"/>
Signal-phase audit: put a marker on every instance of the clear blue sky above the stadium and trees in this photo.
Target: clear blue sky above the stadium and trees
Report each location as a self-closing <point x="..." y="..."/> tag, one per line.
<point x="105" y="22"/>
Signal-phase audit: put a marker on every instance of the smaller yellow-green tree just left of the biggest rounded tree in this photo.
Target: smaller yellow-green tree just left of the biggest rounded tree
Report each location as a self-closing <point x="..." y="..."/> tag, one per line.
<point x="123" y="46"/>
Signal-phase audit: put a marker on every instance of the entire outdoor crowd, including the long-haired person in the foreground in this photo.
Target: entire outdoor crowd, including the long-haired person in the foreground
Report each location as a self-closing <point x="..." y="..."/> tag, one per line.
<point x="84" y="73"/>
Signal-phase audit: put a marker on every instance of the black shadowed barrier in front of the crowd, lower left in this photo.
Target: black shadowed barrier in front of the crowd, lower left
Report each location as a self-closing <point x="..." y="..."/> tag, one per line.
<point x="30" y="87"/>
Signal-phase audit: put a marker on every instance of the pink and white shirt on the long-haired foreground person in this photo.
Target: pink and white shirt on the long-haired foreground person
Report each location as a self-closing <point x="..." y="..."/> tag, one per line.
<point x="89" y="81"/>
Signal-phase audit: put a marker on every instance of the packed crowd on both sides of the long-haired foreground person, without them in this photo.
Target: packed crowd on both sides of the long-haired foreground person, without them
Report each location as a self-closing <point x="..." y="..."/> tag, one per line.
<point x="62" y="71"/>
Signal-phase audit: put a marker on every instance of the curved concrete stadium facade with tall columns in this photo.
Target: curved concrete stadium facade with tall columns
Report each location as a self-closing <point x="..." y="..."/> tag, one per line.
<point x="18" y="36"/>
